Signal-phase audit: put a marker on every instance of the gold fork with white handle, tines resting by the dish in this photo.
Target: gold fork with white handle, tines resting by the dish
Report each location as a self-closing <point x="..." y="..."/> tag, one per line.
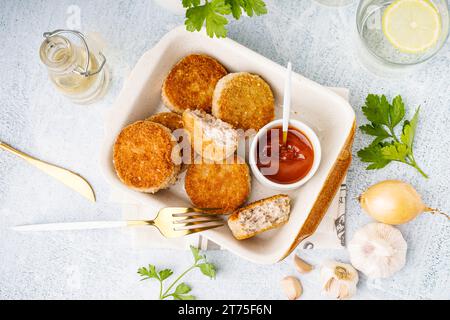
<point x="171" y="223"/>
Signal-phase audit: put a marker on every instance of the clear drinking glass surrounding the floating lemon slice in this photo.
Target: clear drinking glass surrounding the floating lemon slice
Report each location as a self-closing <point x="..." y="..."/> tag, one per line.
<point x="369" y="25"/>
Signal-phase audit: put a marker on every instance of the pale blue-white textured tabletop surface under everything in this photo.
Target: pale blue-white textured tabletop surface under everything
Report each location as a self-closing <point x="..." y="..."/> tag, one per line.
<point x="79" y="265"/>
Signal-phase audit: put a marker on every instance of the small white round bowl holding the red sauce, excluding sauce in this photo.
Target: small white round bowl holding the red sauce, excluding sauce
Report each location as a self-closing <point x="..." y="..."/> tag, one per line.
<point x="312" y="137"/>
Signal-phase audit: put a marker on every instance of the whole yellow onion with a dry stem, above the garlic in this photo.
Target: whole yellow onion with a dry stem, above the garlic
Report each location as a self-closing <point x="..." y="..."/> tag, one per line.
<point x="392" y="202"/>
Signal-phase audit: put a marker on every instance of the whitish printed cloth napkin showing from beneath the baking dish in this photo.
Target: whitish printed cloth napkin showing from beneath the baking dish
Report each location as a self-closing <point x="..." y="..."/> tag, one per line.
<point x="329" y="235"/>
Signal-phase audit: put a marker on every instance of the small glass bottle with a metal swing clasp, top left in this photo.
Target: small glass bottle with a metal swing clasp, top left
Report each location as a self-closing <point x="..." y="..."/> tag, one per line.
<point x="75" y="71"/>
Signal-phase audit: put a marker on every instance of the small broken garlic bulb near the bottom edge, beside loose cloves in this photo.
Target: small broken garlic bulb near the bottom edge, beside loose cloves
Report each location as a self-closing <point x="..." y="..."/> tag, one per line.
<point x="339" y="280"/>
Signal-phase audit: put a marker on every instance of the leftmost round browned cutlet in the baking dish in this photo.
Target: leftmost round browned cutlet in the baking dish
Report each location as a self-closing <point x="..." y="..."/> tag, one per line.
<point x="146" y="157"/>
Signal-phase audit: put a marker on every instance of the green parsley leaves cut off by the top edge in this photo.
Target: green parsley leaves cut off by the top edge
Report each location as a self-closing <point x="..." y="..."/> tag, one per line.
<point x="212" y="14"/>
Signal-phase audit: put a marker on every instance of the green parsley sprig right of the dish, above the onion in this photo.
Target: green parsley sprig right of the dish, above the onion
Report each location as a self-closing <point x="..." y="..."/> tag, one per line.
<point x="387" y="147"/>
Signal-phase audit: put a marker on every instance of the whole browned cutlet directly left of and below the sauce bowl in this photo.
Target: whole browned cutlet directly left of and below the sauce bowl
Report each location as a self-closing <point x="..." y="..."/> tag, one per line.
<point x="218" y="186"/>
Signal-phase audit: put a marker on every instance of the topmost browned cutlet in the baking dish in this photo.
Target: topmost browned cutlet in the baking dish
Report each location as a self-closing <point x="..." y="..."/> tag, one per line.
<point x="191" y="82"/>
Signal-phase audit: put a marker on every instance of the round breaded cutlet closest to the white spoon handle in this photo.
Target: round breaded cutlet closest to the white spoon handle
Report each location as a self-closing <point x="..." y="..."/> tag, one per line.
<point x="244" y="100"/>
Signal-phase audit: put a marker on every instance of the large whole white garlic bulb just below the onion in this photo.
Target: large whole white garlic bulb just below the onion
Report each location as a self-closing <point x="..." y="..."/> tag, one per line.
<point x="378" y="250"/>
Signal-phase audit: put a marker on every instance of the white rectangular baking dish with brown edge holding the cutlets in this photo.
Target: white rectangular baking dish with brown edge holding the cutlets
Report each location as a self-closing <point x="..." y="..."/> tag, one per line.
<point x="328" y="114"/>
